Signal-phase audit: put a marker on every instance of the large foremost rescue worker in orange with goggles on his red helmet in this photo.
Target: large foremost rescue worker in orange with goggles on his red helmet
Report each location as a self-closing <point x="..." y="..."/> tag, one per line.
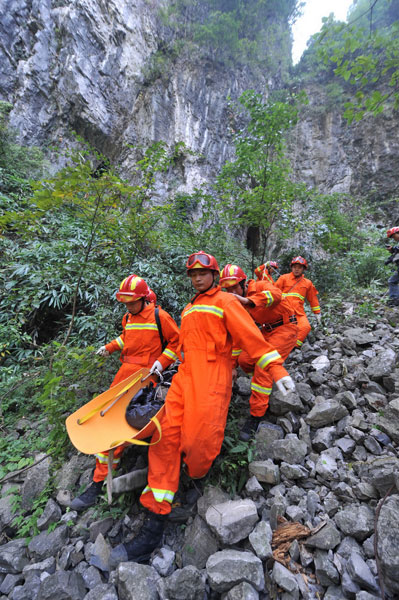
<point x="198" y="399"/>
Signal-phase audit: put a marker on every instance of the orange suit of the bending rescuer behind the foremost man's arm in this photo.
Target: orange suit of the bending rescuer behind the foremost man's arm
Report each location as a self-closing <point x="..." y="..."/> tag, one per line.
<point x="276" y="316"/>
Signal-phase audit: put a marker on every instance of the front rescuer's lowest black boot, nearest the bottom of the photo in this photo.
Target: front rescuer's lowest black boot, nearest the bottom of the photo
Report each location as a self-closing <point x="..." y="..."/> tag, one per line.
<point x="142" y="546"/>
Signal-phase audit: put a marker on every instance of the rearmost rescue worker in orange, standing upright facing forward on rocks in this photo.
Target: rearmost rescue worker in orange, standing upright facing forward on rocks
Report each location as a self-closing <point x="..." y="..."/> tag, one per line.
<point x="295" y="286"/>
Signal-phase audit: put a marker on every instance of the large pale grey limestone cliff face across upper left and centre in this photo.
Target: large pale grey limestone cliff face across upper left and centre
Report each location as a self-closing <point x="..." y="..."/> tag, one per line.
<point x="79" y="65"/>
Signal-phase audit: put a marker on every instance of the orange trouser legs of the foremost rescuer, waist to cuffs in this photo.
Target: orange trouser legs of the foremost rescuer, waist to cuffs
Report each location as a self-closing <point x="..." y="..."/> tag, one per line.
<point x="192" y="427"/>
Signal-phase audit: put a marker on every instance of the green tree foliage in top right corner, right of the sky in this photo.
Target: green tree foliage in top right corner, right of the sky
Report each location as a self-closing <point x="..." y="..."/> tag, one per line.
<point x="364" y="55"/>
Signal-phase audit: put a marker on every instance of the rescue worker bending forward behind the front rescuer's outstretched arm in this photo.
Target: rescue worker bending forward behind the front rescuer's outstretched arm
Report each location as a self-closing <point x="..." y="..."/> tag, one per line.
<point x="275" y="316"/>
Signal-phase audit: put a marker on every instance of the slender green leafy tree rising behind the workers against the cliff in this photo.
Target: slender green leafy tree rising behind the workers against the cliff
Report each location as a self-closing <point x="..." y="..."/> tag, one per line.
<point x="256" y="188"/>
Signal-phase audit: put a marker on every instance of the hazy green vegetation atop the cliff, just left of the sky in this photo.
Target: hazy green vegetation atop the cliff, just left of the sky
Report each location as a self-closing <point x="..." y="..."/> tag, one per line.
<point x="233" y="31"/>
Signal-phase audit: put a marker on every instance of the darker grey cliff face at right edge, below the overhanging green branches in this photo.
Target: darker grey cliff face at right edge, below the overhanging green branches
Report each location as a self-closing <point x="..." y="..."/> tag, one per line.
<point x="361" y="159"/>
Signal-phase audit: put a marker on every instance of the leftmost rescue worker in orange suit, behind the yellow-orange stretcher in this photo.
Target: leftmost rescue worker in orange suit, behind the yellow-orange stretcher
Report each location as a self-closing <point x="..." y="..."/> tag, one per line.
<point x="140" y="346"/>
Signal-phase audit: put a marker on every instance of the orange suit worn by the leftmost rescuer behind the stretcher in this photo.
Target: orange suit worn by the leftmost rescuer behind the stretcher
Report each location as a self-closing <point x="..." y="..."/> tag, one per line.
<point x="140" y="344"/>
